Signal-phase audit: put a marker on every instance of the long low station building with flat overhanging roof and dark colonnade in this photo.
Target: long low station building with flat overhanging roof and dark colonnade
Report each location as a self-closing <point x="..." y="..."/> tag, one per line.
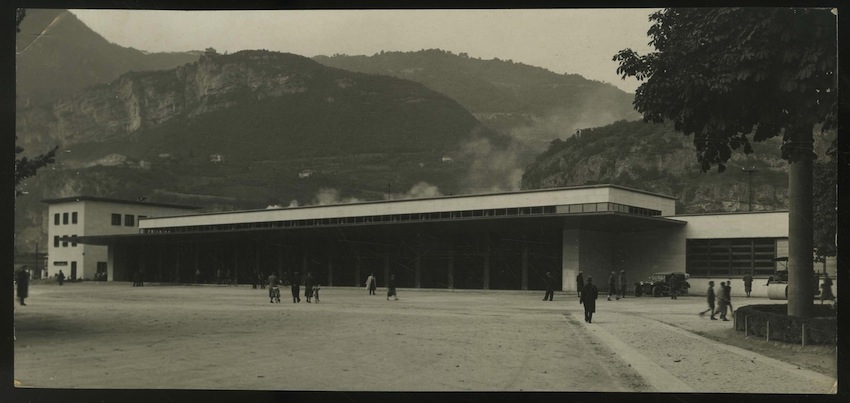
<point x="502" y="241"/>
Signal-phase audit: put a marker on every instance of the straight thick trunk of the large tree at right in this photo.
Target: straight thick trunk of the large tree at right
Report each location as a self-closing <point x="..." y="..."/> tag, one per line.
<point x="800" y="234"/>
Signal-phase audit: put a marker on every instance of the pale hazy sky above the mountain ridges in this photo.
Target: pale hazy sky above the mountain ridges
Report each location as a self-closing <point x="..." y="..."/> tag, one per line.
<point x="575" y="41"/>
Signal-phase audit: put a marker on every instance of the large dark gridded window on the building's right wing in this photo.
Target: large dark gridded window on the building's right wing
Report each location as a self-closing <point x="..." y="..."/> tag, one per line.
<point x="731" y="257"/>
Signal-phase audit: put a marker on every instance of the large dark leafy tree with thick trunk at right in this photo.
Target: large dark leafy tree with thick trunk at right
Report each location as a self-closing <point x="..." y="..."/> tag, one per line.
<point x="727" y="75"/>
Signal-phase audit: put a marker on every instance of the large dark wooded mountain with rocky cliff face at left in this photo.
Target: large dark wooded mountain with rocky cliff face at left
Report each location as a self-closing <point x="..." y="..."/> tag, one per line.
<point x="253" y="129"/>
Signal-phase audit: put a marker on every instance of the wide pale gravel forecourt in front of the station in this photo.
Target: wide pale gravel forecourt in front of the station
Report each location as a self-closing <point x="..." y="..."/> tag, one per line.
<point x="114" y="336"/>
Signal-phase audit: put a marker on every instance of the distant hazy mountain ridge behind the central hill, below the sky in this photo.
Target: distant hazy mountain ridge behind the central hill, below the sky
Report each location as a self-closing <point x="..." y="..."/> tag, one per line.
<point x="532" y="104"/>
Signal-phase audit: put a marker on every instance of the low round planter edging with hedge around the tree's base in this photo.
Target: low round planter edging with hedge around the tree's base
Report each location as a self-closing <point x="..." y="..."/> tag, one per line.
<point x="772" y="323"/>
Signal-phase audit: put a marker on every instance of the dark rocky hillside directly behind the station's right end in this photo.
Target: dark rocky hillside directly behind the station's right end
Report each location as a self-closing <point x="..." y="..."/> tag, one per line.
<point x="655" y="158"/>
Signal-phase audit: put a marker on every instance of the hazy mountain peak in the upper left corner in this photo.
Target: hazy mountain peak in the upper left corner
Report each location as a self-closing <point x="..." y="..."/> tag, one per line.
<point x="58" y="55"/>
